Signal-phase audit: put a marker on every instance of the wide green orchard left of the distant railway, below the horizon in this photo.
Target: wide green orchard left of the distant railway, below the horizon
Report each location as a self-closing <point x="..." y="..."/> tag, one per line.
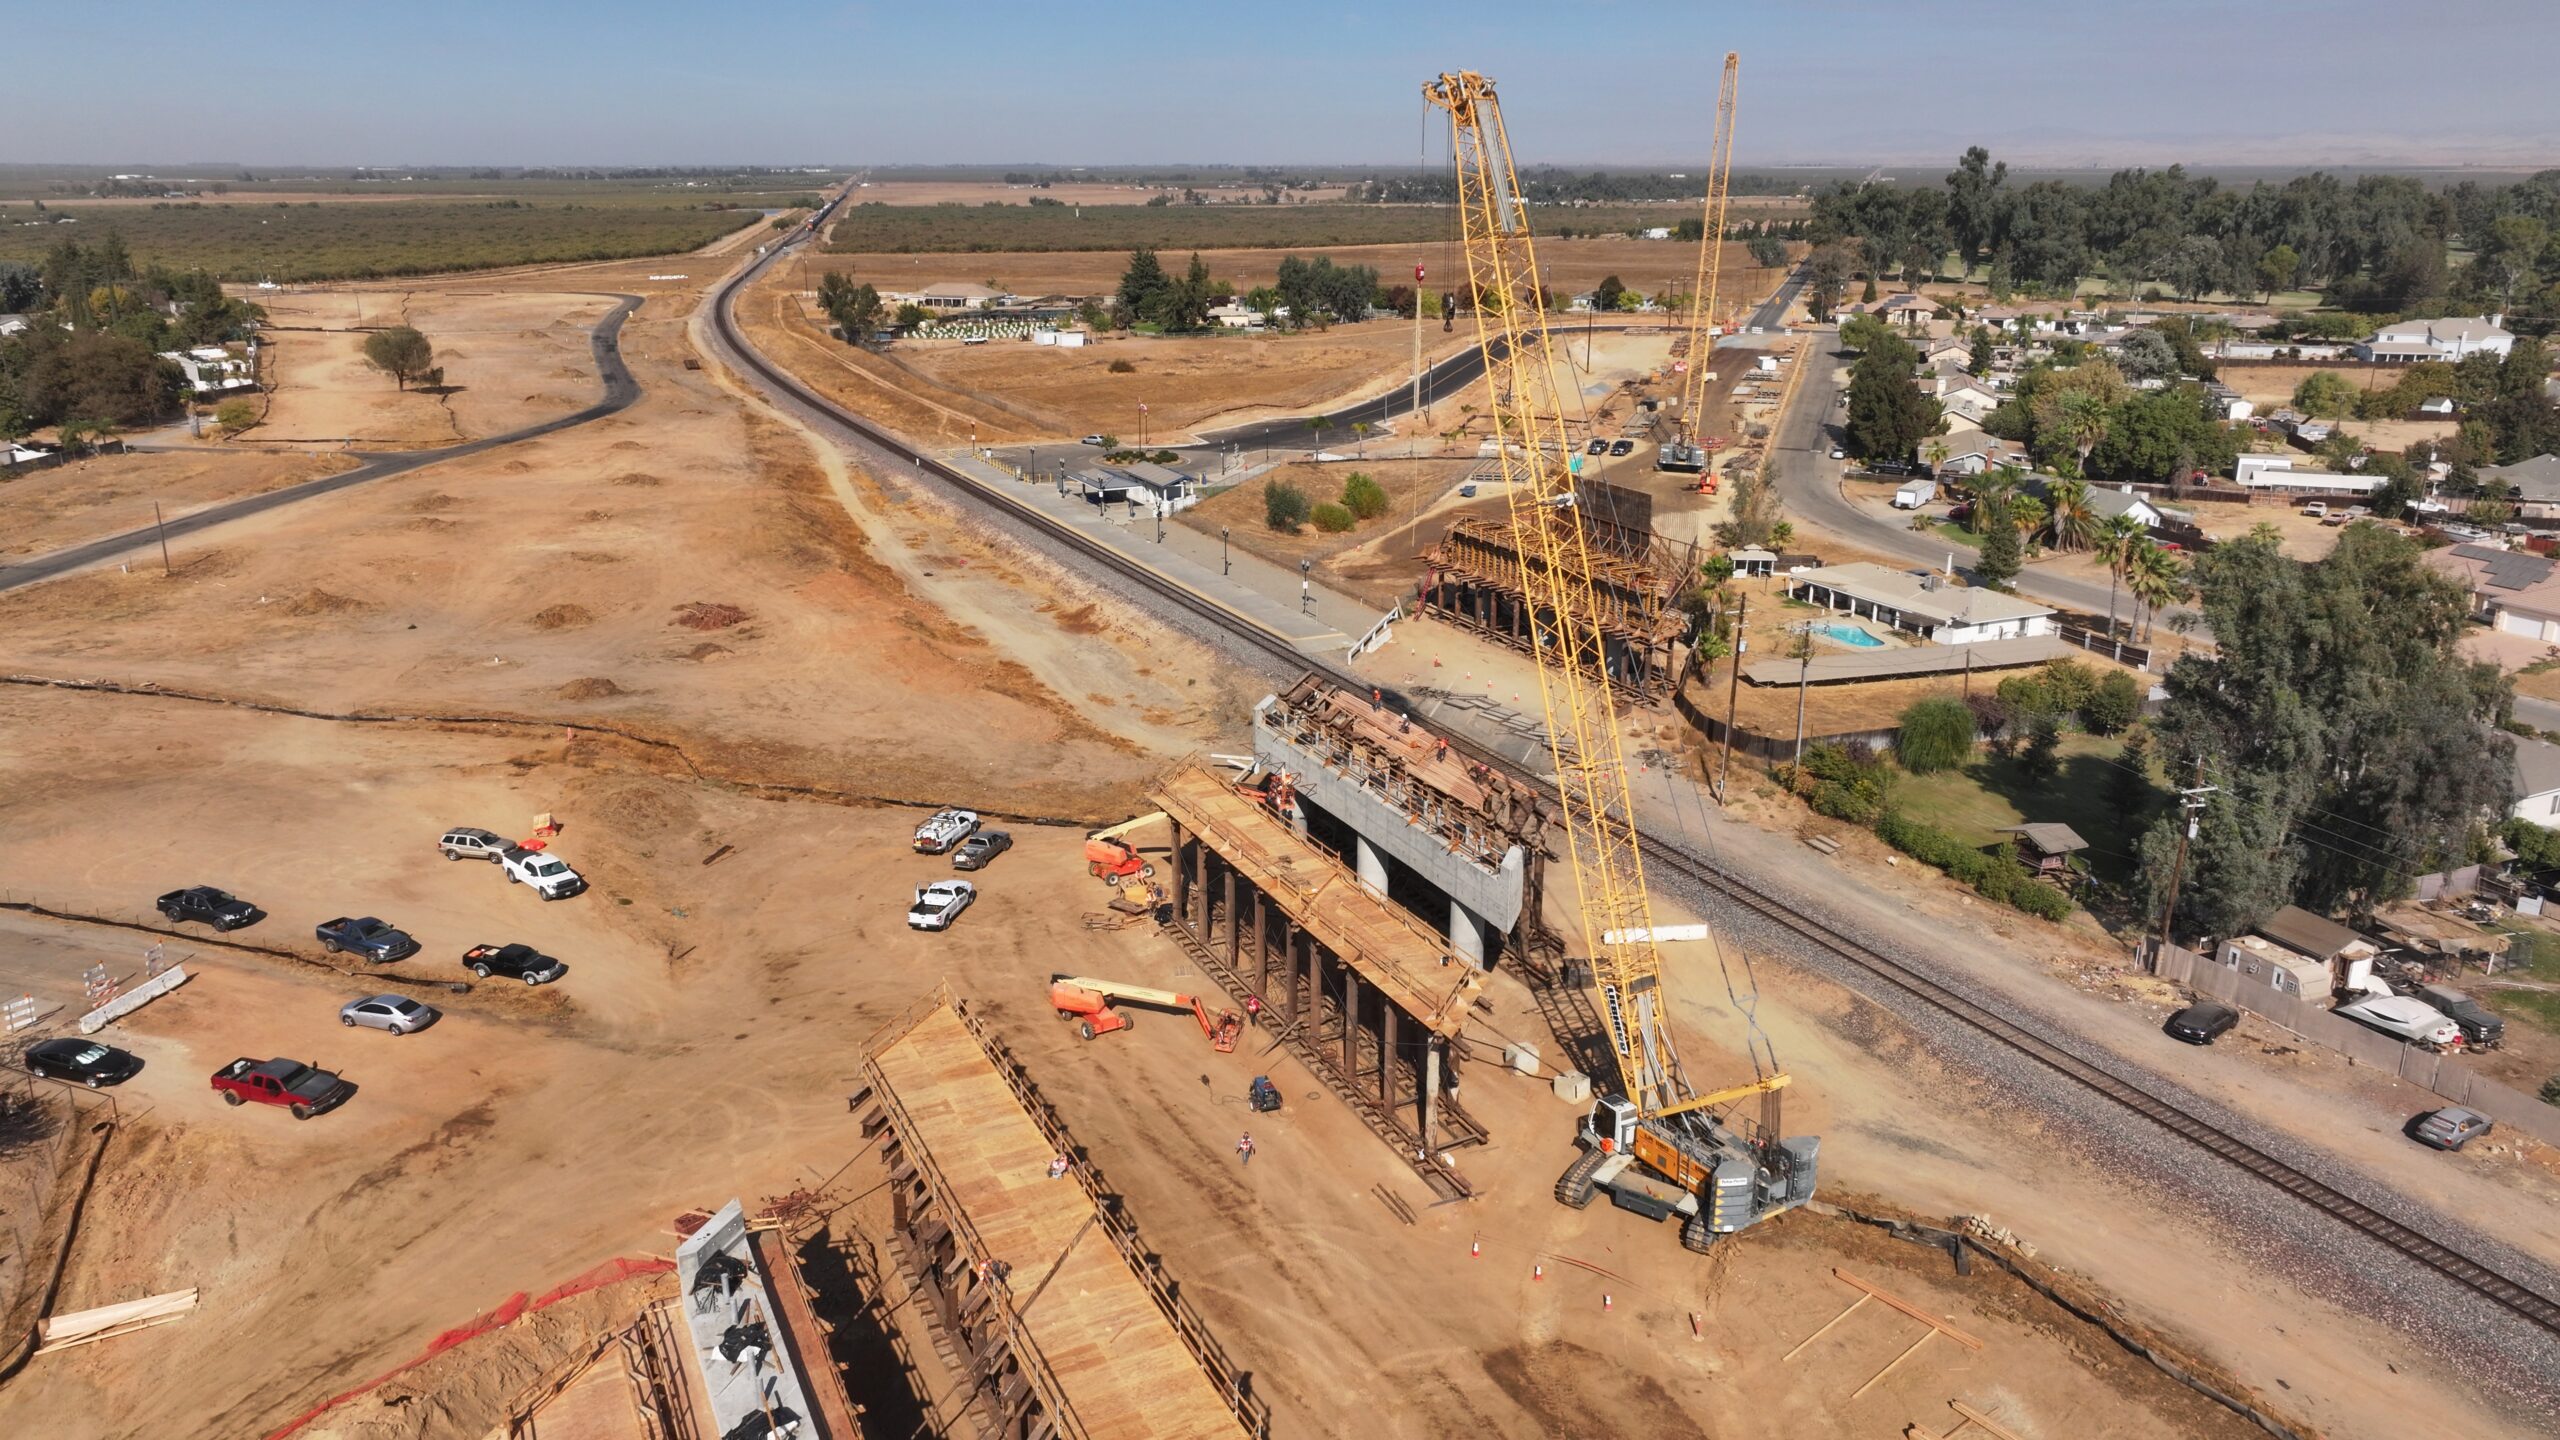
<point x="370" y="240"/>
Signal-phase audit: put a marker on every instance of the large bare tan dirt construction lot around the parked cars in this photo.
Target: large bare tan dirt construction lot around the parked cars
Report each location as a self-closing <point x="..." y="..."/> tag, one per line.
<point x="800" y="655"/>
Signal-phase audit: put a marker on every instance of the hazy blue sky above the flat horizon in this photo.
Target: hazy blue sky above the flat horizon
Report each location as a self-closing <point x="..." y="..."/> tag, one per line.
<point x="1204" y="81"/>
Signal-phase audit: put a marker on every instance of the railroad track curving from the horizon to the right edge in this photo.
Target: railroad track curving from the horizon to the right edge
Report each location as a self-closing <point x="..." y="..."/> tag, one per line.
<point x="2344" y="1208"/>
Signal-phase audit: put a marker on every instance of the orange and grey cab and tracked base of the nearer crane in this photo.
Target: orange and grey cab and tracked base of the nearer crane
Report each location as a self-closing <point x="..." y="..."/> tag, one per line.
<point x="1688" y="1165"/>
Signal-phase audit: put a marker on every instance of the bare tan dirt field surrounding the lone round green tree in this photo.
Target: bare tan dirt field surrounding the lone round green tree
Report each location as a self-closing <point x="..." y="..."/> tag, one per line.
<point x="511" y="360"/>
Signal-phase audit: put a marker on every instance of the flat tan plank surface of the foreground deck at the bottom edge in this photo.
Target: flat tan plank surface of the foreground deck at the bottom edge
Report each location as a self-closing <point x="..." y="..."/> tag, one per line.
<point x="1094" y="1329"/>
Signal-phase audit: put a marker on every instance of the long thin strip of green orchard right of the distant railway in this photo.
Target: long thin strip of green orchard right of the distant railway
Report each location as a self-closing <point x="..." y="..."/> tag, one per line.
<point x="1000" y="227"/>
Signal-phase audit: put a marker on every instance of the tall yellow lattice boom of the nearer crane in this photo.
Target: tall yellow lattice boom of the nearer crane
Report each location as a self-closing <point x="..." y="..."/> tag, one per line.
<point x="1558" y="580"/>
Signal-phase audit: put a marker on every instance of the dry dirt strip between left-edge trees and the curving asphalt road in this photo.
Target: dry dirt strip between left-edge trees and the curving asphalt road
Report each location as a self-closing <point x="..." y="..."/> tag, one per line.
<point x="101" y="496"/>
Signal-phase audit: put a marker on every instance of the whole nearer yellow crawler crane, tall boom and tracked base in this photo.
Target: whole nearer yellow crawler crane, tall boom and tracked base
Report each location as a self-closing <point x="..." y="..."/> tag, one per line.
<point x="1655" y="1144"/>
